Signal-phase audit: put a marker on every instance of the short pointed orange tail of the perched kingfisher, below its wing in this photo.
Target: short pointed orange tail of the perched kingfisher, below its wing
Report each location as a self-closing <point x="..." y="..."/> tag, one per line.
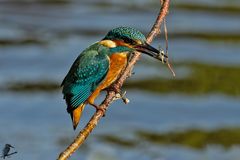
<point x="76" y="115"/>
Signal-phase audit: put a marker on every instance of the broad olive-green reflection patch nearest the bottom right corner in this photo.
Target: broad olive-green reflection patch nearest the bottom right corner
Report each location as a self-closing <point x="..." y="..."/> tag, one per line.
<point x="194" y="138"/>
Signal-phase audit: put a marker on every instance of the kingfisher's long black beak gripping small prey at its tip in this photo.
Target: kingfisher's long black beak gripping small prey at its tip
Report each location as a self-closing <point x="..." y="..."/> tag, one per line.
<point x="151" y="51"/>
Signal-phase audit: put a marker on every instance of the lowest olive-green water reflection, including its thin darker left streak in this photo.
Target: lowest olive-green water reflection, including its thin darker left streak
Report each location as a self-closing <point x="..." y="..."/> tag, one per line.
<point x="193" y="138"/>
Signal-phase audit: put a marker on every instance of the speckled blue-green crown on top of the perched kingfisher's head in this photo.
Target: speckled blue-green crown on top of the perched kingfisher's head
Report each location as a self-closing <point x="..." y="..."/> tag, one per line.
<point x="125" y="33"/>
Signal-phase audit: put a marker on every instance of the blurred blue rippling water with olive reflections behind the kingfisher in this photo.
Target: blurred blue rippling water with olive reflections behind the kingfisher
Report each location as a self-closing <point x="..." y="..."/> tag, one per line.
<point x="195" y="116"/>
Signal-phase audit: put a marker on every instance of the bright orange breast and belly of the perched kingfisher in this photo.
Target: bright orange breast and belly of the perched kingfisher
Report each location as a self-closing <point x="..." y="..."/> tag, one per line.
<point x="118" y="62"/>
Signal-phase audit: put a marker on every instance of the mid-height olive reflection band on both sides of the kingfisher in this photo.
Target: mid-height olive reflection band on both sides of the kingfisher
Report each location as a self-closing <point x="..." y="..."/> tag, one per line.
<point x="203" y="79"/>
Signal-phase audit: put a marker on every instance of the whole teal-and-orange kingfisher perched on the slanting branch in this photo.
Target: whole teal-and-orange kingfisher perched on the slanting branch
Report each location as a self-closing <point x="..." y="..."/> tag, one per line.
<point x="99" y="65"/>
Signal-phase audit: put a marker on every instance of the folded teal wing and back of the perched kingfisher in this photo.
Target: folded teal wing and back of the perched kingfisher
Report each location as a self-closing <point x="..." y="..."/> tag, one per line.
<point x="86" y="73"/>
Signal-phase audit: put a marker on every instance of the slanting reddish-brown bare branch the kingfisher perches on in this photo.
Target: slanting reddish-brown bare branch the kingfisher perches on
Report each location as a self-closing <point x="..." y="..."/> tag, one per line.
<point x="83" y="134"/>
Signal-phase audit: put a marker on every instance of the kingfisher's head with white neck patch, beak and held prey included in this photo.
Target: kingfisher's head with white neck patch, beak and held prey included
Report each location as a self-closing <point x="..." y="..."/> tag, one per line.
<point x="125" y="39"/>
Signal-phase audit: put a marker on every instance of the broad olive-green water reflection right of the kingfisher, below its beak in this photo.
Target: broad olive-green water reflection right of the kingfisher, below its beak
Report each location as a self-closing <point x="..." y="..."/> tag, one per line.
<point x="204" y="78"/>
